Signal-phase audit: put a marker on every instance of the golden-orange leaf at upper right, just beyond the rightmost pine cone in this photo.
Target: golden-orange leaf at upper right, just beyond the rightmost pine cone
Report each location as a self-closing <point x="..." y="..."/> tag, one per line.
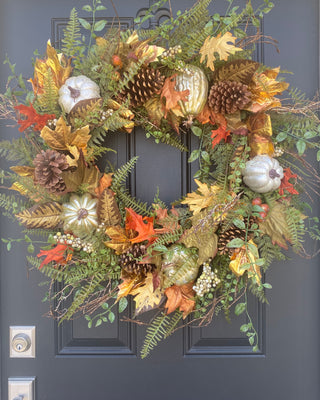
<point x="263" y="88"/>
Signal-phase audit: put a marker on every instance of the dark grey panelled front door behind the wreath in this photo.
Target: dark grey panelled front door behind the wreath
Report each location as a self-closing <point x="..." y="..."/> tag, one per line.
<point x="77" y="363"/>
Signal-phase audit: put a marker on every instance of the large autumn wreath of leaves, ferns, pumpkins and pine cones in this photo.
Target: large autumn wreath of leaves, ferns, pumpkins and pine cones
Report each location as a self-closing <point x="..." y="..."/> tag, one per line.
<point x="201" y="255"/>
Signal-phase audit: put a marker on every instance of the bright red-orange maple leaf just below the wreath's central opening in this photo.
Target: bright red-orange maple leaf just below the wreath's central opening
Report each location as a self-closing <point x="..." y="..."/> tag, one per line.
<point x="142" y="225"/>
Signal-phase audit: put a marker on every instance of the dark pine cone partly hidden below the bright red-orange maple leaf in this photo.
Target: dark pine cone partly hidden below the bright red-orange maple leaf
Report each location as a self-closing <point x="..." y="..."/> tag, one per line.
<point x="130" y="264"/>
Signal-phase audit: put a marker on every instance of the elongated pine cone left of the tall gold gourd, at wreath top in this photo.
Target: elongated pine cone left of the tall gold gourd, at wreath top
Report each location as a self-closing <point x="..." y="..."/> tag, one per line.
<point x="146" y="83"/>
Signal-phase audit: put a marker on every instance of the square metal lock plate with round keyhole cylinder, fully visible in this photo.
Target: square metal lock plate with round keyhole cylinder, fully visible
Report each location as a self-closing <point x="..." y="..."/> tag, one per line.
<point x="22" y="341"/>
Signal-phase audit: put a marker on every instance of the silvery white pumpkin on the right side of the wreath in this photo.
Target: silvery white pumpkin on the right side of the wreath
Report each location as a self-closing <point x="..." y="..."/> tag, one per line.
<point x="262" y="174"/>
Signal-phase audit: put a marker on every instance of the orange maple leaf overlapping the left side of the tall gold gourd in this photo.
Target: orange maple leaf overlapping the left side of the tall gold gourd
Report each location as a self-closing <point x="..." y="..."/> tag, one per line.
<point x="172" y="97"/>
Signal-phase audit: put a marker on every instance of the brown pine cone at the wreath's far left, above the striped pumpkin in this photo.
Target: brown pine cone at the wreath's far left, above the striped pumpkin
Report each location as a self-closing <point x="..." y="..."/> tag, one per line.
<point x="49" y="165"/>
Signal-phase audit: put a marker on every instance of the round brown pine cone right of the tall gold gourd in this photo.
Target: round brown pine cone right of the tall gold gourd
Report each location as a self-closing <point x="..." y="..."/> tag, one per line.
<point x="227" y="97"/>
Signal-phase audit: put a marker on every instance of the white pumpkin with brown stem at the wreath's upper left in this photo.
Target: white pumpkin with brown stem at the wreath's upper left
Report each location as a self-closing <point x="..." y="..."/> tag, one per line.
<point x="75" y="89"/>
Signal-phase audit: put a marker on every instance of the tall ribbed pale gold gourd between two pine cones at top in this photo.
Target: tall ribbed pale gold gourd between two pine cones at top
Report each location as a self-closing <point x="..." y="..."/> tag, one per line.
<point x="194" y="80"/>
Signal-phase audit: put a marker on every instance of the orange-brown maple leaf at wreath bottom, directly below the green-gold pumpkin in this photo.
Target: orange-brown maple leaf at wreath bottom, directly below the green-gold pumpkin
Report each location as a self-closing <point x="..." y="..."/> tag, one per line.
<point x="181" y="297"/>
